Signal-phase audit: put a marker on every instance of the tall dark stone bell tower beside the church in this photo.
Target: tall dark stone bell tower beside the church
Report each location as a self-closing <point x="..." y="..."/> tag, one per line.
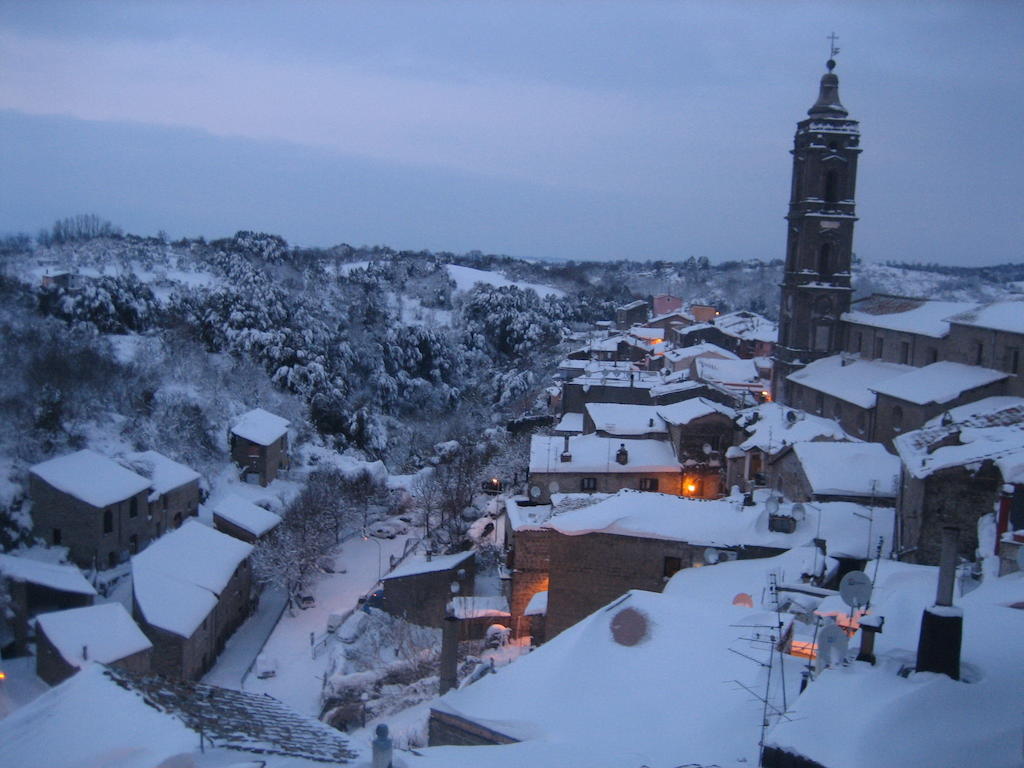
<point x="819" y="251"/>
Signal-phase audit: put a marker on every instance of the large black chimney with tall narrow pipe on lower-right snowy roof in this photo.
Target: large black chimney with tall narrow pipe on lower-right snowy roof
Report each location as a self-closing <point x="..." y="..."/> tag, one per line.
<point x="943" y="625"/>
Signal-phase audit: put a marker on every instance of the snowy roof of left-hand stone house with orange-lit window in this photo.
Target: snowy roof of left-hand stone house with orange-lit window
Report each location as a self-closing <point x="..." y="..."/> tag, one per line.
<point x="92" y="478"/>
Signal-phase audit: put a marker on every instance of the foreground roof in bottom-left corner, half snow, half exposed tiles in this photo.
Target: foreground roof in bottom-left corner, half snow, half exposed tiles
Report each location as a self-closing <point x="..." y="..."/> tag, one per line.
<point x="106" y="717"/>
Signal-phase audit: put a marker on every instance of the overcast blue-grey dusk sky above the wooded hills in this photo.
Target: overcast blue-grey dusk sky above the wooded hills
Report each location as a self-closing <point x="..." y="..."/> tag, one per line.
<point x="556" y="130"/>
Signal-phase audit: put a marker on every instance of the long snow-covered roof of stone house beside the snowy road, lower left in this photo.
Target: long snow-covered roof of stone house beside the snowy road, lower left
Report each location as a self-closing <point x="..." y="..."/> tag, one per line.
<point x="179" y="578"/>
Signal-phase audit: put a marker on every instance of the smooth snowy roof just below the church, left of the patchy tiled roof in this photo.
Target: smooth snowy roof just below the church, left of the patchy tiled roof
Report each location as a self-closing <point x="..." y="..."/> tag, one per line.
<point x="861" y="470"/>
